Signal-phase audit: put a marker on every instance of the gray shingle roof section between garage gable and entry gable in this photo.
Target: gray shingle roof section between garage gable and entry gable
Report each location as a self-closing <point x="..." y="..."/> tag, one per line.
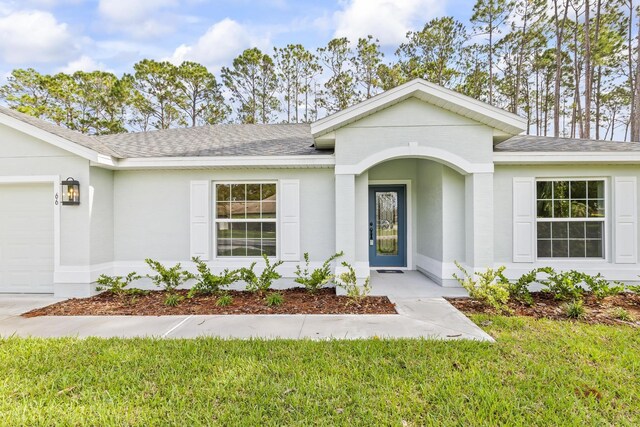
<point x="218" y="140"/>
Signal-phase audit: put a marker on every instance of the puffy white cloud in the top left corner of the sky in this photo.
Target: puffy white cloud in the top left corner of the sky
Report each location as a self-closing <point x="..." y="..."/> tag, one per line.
<point x="34" y="37"/>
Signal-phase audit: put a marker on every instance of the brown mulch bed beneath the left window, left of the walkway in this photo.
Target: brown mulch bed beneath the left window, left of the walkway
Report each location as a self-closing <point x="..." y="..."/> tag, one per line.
<point x="296" y="301"/>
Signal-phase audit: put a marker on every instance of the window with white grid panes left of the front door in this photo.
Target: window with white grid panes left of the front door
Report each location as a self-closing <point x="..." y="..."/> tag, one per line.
<point x="245" y="219"/>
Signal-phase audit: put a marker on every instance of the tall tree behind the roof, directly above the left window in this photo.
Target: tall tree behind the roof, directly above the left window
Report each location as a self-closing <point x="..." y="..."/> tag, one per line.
<point x="253" y="84"/>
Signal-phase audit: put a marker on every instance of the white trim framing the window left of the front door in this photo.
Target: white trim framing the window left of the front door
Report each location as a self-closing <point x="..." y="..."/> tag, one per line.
<point x="215" y="219"/>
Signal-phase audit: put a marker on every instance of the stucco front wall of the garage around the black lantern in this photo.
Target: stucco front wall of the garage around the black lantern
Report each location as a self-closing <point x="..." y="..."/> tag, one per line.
<point x="23" y="155"/>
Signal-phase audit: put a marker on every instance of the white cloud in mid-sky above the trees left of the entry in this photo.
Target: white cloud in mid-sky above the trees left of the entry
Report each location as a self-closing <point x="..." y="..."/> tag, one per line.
<point x="222" y="42"/>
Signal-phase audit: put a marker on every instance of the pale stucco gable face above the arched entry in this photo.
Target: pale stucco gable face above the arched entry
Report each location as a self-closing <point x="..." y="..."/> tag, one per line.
<point x="414" y="121"/>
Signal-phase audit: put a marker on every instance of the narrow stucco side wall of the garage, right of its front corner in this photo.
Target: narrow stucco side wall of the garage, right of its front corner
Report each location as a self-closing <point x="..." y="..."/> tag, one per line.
<point x="101" y="220"/>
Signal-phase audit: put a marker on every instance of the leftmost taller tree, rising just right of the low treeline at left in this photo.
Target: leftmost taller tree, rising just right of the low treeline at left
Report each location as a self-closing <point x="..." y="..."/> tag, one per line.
<point x="158" y="83"/>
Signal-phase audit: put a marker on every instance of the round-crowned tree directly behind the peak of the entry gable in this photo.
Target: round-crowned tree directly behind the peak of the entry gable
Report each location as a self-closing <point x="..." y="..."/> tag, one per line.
<point x="434" y="52"/>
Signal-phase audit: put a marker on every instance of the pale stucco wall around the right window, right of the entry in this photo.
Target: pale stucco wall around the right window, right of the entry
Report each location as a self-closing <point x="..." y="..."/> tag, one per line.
<point x="503" y="213"/>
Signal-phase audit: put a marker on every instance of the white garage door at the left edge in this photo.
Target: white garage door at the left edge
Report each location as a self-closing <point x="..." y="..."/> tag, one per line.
<point x="26" y="238"/>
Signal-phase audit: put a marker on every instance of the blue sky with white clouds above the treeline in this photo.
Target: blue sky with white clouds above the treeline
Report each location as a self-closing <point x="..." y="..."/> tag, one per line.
<point x="112" y="35"/>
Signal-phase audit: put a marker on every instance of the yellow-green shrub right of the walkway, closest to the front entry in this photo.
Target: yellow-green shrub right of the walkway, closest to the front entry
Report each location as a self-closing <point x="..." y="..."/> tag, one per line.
<point x="490" y="287"/>
